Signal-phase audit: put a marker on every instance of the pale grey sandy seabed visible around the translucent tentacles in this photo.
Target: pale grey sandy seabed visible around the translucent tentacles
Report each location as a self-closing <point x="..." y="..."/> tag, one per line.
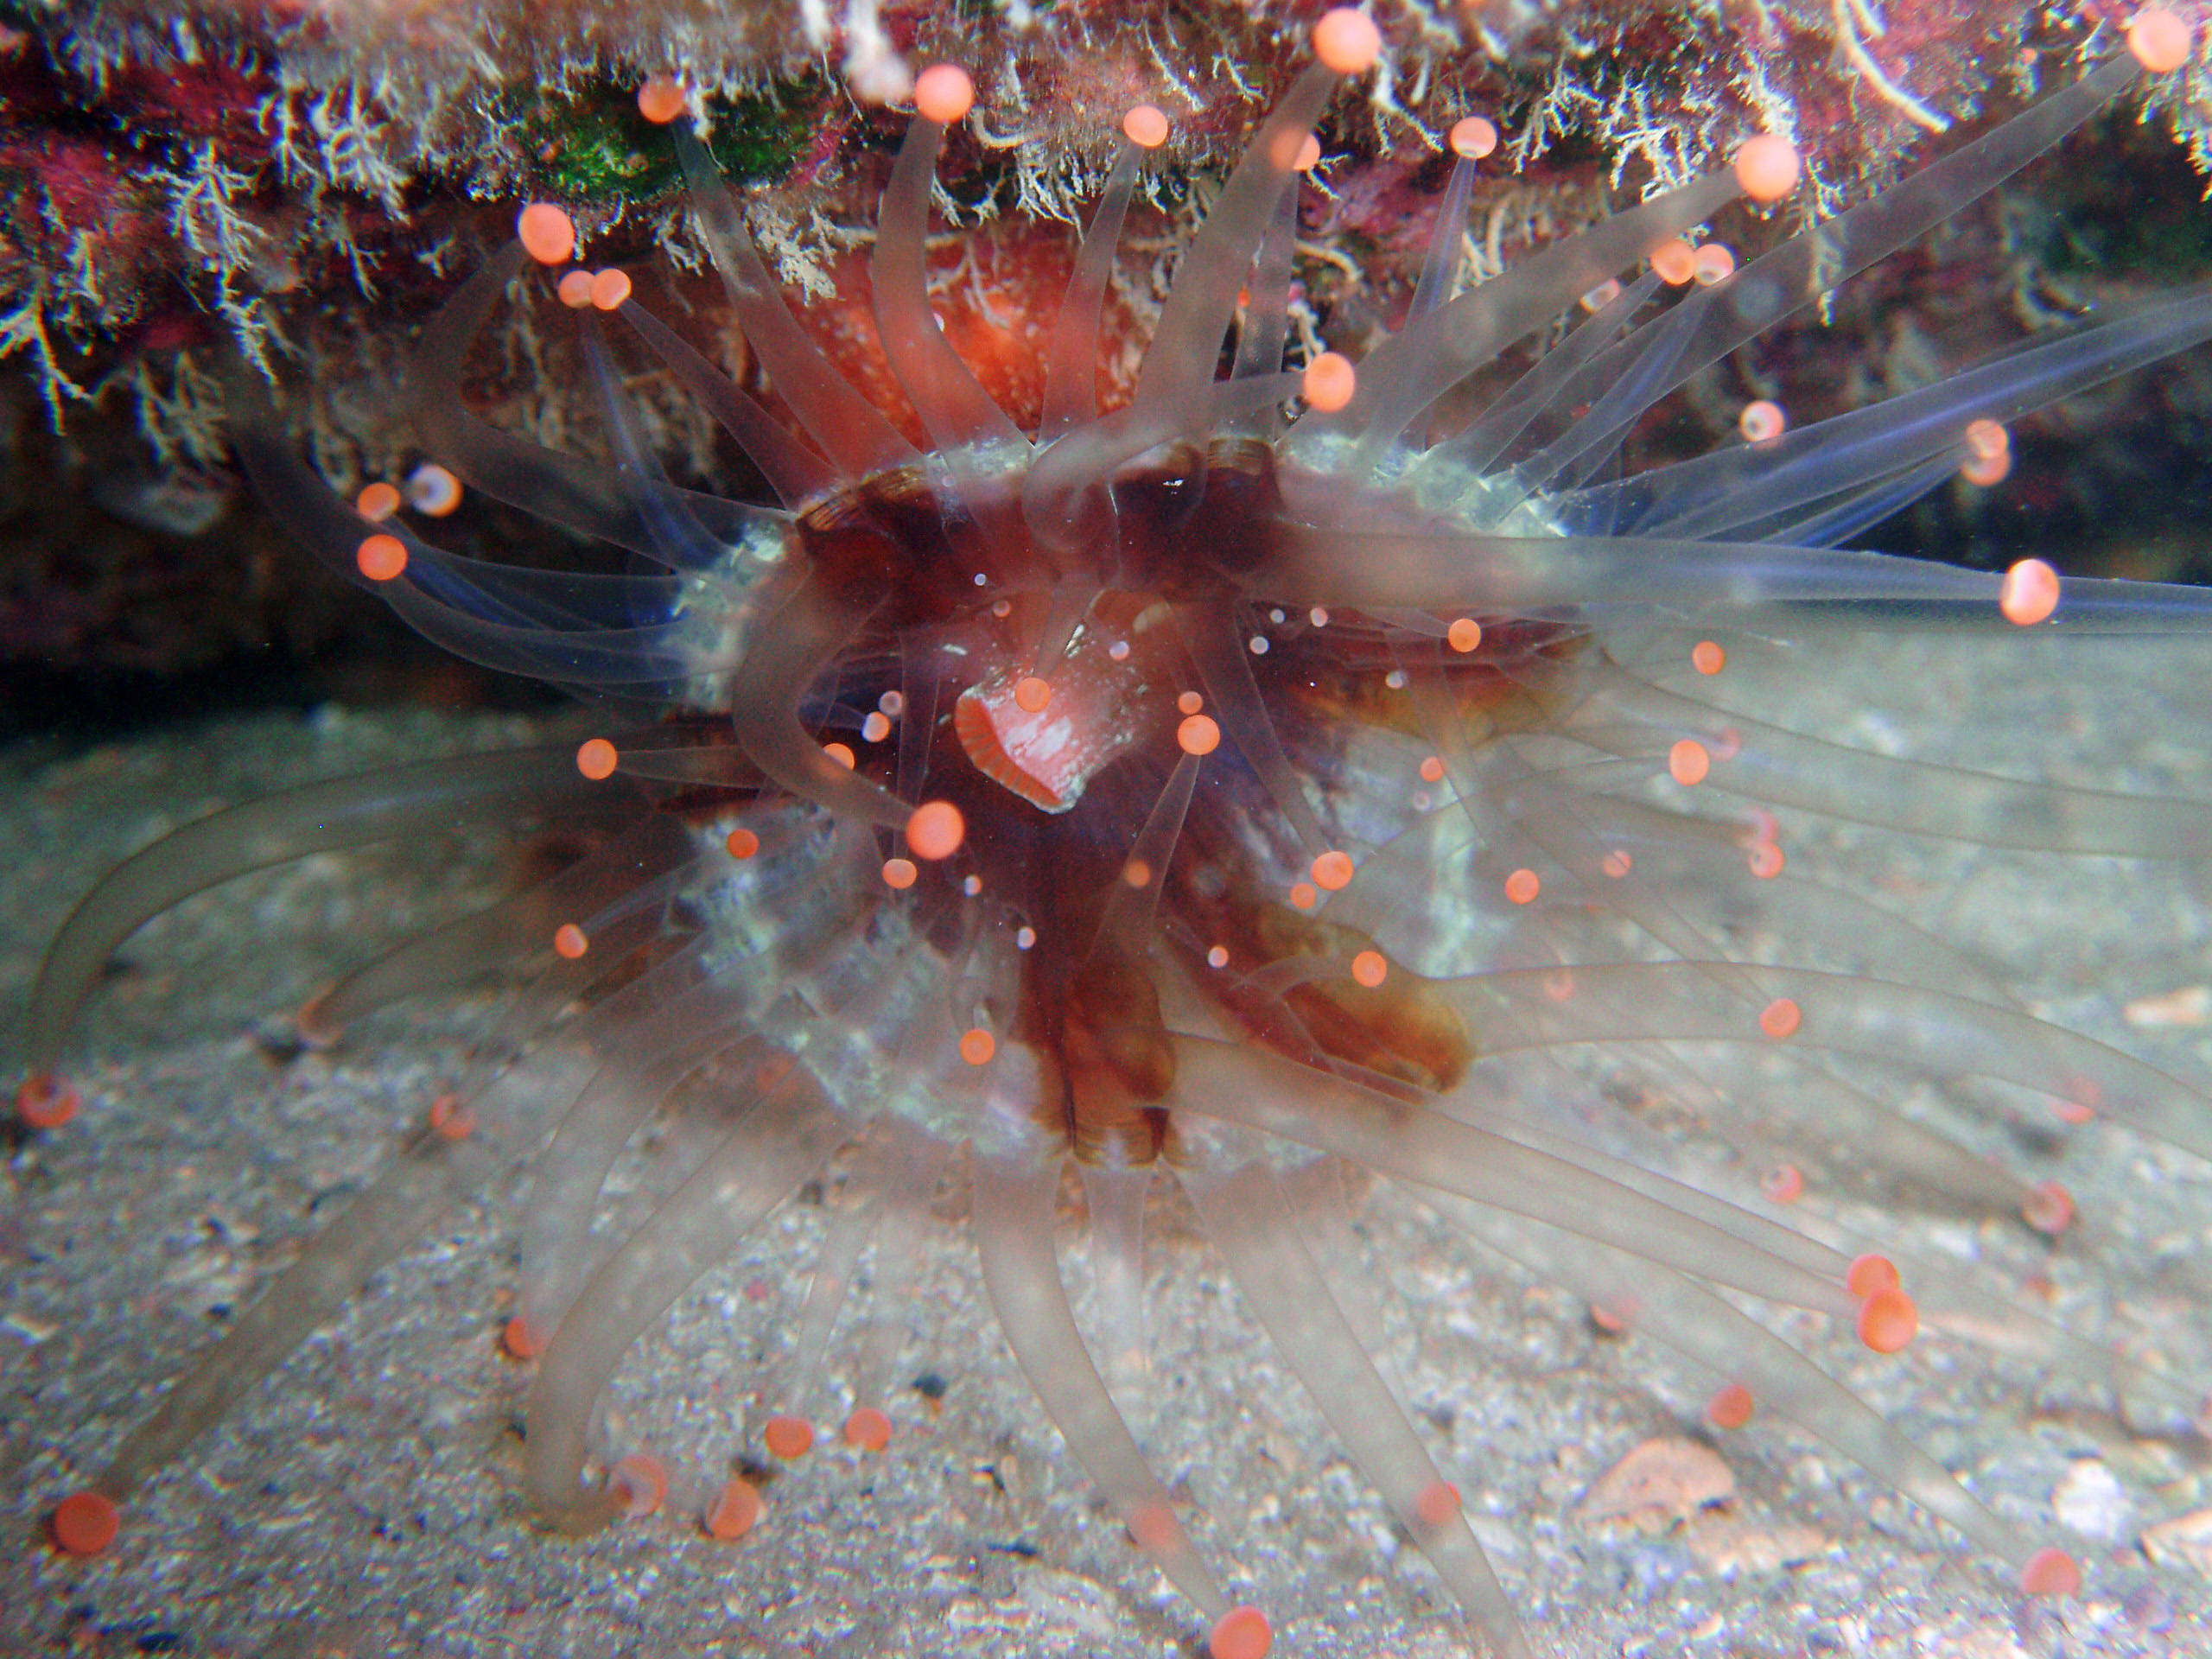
<point x="366" y="1499"/>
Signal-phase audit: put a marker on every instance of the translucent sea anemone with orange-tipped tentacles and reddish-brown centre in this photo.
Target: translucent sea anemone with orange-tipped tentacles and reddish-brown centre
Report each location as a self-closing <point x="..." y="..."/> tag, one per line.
<point x="1260" y="789"/>
